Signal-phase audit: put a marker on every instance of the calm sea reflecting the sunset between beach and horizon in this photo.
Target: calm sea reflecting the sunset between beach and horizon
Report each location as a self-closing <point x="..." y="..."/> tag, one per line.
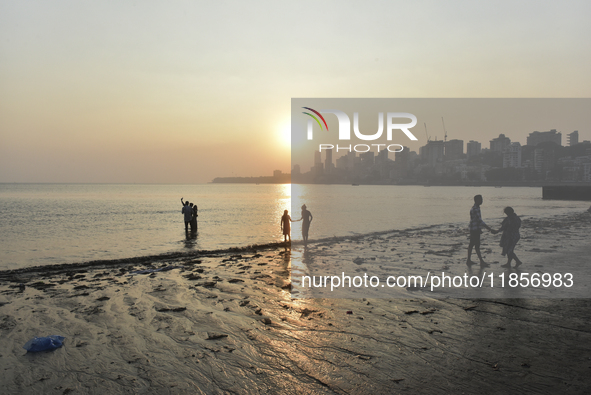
<point x="45" y="224"/>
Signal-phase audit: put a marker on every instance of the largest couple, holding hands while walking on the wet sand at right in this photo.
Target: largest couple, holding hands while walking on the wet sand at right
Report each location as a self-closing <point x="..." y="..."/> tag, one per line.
<point x="510" y="228"/>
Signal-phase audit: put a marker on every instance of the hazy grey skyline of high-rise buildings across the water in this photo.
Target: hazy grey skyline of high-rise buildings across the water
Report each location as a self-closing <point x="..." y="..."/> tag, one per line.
<point x="542" y="158"/>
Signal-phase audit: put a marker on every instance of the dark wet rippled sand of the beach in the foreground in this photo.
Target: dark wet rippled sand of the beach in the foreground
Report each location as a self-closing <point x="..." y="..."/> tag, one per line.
<point x="226" y="322"/>
